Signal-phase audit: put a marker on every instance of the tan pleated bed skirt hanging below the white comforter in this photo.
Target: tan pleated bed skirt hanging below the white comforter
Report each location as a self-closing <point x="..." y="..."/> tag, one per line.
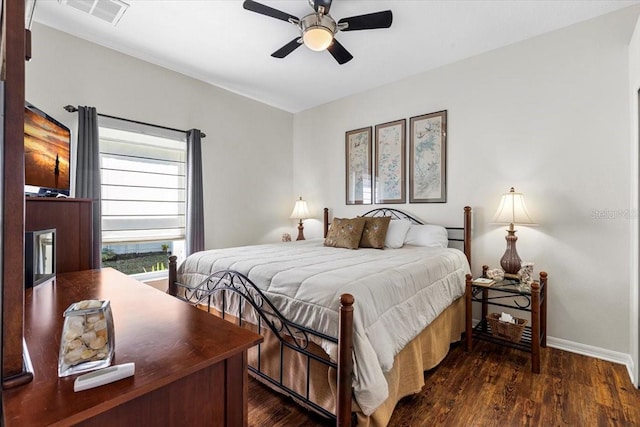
<point x="406" y="377"/>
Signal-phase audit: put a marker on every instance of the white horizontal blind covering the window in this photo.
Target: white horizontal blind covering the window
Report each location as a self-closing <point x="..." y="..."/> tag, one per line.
<point x="143" y="182"/>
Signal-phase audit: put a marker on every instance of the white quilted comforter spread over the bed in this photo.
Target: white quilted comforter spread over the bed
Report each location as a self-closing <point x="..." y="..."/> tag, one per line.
<point x="397" y="292"/>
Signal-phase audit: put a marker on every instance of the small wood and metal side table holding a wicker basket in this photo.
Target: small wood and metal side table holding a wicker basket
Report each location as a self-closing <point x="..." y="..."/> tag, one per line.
<point x="508" y="293"/>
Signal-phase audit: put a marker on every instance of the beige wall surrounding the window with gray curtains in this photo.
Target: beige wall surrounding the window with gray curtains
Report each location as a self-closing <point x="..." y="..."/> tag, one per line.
<point x="247" y="152"/>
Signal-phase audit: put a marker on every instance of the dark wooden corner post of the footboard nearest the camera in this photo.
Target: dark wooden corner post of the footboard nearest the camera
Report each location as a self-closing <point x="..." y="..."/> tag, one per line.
<point x="345" y="361"/>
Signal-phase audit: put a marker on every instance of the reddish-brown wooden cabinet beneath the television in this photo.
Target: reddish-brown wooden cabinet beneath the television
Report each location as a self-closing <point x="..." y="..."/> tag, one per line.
<point x="72" y="219"/>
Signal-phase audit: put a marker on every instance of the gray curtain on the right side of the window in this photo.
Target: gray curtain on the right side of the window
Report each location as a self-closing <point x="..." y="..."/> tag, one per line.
<point x="195" y="209"/>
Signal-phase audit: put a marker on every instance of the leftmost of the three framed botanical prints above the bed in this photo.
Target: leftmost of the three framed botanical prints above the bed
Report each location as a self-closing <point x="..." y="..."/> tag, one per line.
<point x="358" y="156"/>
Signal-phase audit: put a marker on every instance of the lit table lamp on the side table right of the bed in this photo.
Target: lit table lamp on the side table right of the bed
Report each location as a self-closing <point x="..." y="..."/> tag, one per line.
<point x="512" y="211"/>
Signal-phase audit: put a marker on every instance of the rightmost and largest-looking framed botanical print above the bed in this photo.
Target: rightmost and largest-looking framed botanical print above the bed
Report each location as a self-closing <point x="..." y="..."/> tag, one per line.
<point x="427" y="158"/>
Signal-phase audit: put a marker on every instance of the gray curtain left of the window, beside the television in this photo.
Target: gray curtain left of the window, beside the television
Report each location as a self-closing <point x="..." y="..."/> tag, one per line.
<point x="88" y="173"/>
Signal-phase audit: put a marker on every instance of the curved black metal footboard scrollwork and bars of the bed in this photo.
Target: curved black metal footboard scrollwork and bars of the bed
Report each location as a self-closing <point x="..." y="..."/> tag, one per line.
<point x="214" y="293"/>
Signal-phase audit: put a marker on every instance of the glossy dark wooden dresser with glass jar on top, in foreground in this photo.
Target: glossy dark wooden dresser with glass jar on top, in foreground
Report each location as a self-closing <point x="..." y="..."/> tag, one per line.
<point x="191" y="367"/>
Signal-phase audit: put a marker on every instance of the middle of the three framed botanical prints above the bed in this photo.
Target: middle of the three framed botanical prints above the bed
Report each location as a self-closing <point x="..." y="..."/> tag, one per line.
<point x="390" y="162"/>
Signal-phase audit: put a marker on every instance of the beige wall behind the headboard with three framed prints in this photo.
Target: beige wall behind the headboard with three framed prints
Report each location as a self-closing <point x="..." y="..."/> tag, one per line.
<point x="549" y="116"/>
